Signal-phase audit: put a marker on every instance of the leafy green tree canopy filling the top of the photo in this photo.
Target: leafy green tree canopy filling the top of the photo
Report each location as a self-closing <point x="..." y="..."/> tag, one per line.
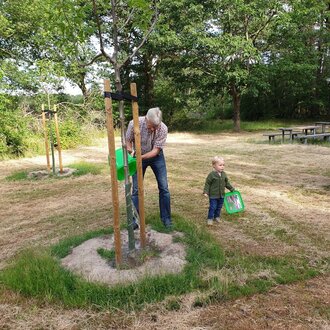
<point x="196" y="59"/>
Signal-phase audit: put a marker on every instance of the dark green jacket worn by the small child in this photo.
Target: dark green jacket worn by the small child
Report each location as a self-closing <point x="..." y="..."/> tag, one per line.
<point x="215" y="185"/>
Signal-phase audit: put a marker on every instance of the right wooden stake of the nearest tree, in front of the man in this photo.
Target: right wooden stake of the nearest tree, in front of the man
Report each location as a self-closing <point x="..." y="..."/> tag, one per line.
<point x="137" y="139"/>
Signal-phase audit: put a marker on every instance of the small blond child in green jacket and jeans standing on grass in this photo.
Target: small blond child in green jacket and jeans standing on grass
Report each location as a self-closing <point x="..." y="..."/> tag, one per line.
<point x="214" y="188"/>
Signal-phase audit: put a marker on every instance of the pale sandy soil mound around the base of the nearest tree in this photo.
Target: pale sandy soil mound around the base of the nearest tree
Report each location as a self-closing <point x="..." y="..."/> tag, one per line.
<point x="166" y="257"/>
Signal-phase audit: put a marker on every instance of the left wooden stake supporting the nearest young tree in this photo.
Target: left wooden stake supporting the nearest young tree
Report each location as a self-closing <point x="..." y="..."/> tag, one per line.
<point x="113" y="172"/>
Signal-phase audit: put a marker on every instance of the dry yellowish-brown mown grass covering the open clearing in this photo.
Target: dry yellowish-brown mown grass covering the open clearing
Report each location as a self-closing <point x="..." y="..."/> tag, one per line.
<point x="286" y="192"/>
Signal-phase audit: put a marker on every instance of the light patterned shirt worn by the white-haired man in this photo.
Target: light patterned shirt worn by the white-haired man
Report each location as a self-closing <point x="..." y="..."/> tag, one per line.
<point x="149" y="140"/>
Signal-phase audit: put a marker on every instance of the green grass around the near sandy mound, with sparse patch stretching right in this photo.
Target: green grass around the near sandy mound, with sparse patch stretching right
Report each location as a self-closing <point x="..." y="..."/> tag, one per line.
<point x="39" y="273"/>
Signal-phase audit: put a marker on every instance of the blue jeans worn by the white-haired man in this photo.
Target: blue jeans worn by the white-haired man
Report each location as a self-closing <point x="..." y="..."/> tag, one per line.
<point x="158" y="166"/>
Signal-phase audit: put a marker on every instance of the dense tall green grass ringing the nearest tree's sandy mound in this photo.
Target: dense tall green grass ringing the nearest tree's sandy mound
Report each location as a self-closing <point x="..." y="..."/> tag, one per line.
<point x="40" y="274"/>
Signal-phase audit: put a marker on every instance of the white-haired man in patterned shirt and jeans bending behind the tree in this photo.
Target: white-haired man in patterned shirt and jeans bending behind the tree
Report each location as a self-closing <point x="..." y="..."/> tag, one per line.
<point x="153" y="138"/>
